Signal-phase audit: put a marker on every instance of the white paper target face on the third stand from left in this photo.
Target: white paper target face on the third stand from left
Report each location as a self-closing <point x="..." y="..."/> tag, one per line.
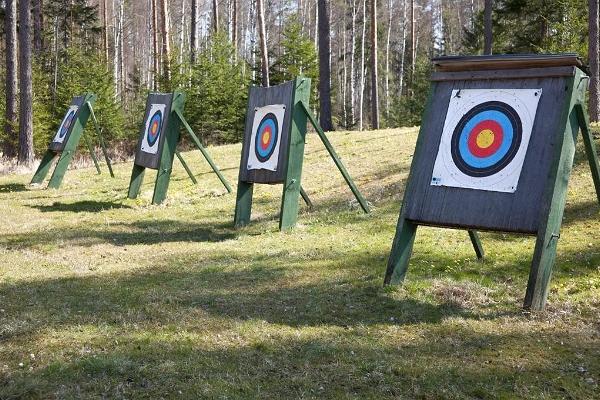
<point x="266" y="137"/>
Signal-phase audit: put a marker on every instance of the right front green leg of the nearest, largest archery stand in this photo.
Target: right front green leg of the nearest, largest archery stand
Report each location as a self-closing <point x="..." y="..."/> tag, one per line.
<point x="553" y="202"/>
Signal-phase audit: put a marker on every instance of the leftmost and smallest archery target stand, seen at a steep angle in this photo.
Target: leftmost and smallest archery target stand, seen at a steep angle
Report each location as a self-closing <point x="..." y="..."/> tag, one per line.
<point x="66" y="140"/>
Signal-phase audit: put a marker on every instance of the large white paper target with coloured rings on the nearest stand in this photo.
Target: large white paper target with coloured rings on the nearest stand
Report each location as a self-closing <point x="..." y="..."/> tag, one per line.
<point x="485" y="138"/>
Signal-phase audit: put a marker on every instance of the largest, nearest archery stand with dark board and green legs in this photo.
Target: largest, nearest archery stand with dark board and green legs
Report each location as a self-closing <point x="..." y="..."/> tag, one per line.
<point x="530" y="198"/>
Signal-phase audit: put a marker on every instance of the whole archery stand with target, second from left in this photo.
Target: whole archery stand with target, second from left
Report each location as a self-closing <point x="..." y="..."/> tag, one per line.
<point x="160" y="156"/>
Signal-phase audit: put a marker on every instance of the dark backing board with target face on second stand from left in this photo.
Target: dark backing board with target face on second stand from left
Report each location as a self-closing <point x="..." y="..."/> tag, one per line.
<point x="158" y="111"/>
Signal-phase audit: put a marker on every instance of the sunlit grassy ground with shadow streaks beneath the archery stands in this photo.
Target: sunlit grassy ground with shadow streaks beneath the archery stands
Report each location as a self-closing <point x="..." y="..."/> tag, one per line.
<point x="104" y="297"/>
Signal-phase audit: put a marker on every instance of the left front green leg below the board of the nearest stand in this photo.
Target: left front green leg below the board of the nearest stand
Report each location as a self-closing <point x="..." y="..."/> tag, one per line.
<point x="401" y="251"/>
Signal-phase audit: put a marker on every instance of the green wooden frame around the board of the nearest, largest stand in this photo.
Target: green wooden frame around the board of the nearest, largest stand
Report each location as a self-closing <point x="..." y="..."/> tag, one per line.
<point x="571" y="118"/>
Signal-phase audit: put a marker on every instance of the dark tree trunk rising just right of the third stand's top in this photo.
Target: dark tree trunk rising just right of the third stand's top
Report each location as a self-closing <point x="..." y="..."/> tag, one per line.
<point x="324" y="67"/>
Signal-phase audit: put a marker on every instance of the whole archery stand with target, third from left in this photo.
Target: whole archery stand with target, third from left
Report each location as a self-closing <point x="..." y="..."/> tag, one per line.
<point x="290" y="100"/>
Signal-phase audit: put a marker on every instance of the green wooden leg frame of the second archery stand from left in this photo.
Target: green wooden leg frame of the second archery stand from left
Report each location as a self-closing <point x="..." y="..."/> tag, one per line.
<point x="168" y="151"/>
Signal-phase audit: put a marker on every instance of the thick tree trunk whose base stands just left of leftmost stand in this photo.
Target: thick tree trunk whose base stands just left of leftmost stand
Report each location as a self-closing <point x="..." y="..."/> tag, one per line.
<point x="26" y="93"/>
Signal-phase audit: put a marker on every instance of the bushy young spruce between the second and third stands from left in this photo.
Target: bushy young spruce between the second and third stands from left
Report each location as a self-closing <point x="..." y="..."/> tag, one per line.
<point x="217" y="93"/>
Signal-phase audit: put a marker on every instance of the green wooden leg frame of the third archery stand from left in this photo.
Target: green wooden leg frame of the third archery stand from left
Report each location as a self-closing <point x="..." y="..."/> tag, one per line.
<point x="293" y="157"/>
